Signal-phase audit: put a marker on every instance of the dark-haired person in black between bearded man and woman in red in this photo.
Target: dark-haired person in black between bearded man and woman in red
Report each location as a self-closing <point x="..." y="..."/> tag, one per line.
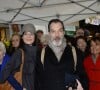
<point x="80" y="51"/>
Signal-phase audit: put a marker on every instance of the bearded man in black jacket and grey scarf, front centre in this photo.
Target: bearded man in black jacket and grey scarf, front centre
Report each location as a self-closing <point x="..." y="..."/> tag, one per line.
<point x="55" y="61"/>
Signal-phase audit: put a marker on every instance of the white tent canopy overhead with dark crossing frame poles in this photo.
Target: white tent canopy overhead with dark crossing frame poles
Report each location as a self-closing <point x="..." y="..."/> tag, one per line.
<point x="41" y="11"/>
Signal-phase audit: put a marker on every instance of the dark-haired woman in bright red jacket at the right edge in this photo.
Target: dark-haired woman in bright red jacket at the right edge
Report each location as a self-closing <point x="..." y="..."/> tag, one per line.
<point x="92" y="64"/>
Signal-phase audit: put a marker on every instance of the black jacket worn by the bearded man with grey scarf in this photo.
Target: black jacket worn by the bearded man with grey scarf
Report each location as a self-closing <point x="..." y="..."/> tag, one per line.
<point x="51" y="75"/>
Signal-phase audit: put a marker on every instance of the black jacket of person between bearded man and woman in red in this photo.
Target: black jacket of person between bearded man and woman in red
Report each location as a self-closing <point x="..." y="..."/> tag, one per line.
<point x="81" y="70"/>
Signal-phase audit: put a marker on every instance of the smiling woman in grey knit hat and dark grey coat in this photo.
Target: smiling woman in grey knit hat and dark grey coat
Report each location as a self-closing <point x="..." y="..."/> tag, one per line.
<point x="23" y="60"/>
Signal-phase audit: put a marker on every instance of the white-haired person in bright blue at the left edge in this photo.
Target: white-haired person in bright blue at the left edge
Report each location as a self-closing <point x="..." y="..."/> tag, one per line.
<point x="10" y="83"/>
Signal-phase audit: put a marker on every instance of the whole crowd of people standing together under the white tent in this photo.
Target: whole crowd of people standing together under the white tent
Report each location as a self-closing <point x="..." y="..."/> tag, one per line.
<point x="54" y="61"/>
